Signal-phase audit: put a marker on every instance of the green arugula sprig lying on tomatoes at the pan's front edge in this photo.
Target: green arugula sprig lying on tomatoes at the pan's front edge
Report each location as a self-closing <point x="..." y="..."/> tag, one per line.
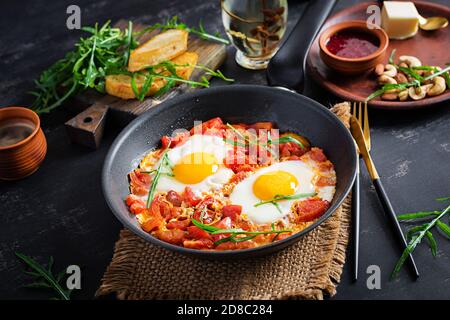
<point x="234" y="233"/>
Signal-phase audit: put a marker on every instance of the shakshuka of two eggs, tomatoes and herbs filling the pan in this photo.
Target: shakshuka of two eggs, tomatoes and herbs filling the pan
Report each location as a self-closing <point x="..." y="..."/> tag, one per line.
<point x="222" y="186"/>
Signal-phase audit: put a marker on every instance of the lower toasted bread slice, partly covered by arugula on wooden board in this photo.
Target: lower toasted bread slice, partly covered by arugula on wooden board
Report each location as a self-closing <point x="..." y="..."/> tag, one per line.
<point x="120" y="85"/>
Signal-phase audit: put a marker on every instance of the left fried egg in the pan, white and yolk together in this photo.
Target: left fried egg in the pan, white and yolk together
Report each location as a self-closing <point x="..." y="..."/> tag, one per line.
<point x="198" y="163"/>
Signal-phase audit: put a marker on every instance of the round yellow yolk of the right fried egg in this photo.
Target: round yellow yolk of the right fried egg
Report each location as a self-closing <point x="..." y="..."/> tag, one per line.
<point x="276" y="183"/>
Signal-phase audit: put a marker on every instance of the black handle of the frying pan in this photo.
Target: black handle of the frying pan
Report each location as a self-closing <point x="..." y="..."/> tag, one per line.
<point x="286" y="69"/>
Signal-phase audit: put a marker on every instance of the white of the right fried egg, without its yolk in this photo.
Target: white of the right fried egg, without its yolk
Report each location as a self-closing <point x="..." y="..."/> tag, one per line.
<point x="305" y="174"/>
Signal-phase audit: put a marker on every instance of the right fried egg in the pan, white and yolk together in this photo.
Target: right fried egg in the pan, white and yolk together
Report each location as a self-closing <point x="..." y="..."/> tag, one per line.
<point x="288" y="178"/>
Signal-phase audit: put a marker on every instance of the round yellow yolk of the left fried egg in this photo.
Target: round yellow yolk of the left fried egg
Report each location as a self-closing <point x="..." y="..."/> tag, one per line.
<point x="195" y="167"/>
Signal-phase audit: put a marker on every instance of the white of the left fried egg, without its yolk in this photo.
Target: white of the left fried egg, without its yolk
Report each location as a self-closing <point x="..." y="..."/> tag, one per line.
<point x="198" y="143"/>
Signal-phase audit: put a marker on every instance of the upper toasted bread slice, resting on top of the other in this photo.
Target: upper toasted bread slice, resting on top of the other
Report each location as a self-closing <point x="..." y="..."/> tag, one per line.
<point x="162" y="47"/>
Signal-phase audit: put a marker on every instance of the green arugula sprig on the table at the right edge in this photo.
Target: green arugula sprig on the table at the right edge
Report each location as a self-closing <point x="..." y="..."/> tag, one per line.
<point x="416" y="234"/>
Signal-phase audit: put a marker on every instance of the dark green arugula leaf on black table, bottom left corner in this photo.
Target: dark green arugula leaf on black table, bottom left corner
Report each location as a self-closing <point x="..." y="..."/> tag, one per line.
<point x="44" y="277"/>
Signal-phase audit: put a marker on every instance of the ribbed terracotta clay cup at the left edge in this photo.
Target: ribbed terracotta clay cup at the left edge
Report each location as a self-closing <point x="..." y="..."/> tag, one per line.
<point x="24" y="157"/>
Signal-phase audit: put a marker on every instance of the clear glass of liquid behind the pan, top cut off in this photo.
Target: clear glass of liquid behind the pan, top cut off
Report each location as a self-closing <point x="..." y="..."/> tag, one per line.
<point x="255" y="27"/>
